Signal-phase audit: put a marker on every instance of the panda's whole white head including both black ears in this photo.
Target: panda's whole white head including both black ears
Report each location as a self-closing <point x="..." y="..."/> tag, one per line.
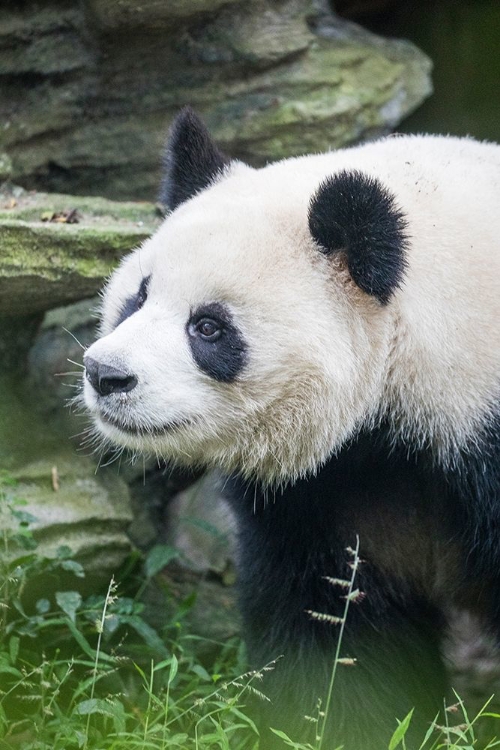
<point x="251" y="332"/>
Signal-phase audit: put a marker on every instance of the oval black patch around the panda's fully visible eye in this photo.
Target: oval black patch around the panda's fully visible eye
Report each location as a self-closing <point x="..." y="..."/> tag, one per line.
<point x="217" y="345"/>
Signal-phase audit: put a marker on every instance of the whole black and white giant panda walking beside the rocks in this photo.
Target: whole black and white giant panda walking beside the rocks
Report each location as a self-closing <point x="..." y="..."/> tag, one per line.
<point x="325" y="331"/>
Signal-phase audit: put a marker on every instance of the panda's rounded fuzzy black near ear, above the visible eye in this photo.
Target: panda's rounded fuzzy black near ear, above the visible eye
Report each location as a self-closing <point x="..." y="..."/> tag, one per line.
<point x="355" y="214"/>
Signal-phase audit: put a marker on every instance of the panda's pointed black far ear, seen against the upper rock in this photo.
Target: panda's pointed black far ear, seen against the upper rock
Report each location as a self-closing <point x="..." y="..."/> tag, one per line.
<point x="191" y="161"/>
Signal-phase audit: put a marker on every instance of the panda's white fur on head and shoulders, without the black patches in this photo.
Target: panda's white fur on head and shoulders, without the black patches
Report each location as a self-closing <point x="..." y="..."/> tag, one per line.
<point x="324" y="357"/>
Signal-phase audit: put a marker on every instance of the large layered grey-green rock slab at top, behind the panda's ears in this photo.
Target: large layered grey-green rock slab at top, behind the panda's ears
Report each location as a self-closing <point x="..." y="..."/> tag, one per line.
<point x="87" y="90"/>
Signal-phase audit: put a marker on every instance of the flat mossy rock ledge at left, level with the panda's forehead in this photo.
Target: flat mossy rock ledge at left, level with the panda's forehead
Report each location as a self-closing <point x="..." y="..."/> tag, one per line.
<point x="47" y="260"/>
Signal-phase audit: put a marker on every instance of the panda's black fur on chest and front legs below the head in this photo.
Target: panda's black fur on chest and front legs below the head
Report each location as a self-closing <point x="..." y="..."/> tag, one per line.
<point x="289" y="540"/>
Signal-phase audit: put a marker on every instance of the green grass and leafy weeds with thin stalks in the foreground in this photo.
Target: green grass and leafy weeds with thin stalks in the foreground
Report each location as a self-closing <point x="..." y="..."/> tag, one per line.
<point x="92" y="674"/>
